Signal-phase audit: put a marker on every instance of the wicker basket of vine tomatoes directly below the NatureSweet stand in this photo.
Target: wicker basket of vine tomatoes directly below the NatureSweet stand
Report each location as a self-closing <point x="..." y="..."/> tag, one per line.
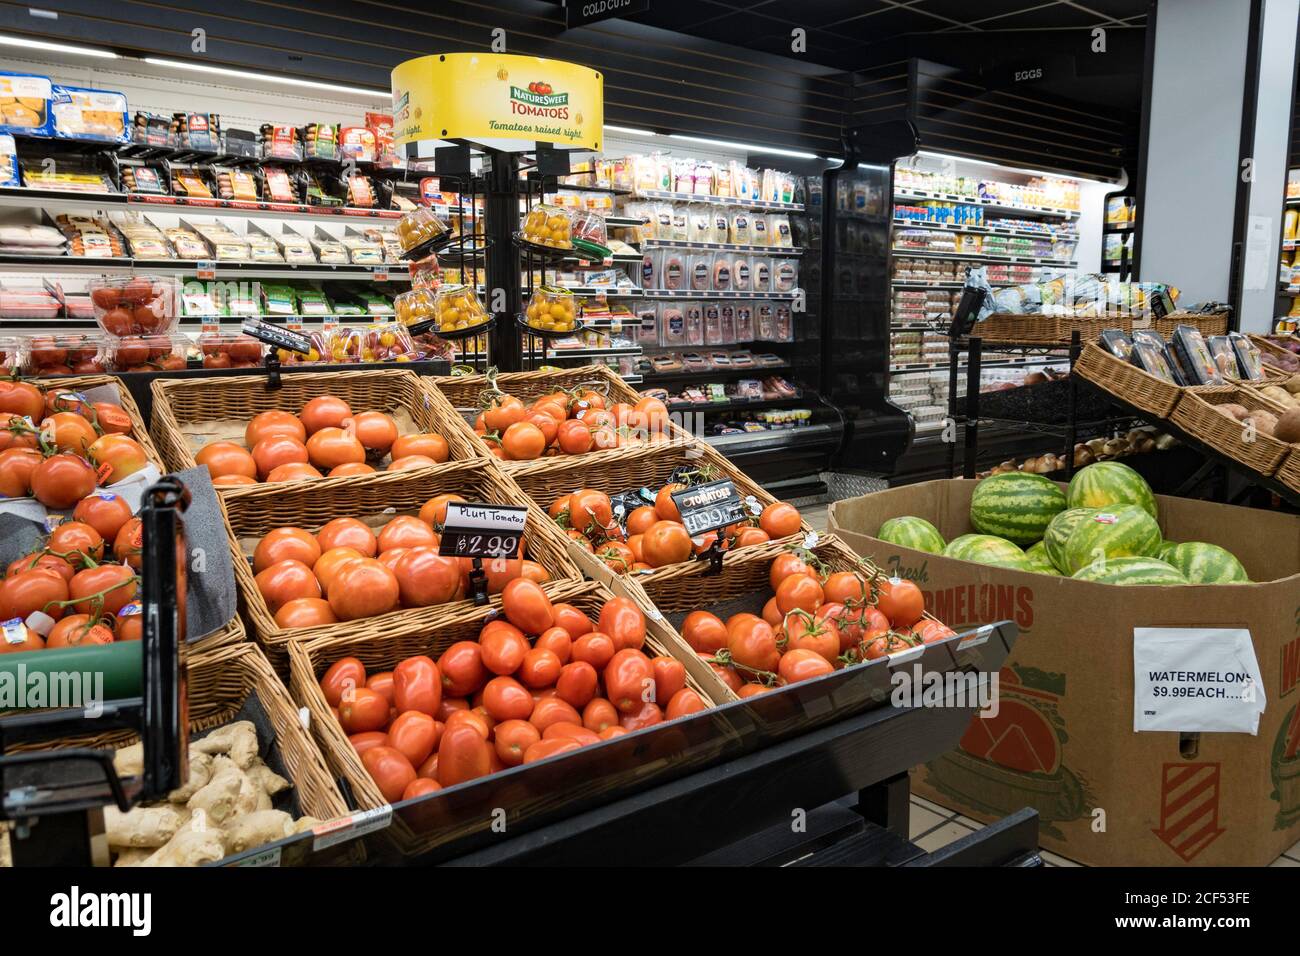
<point x="463" y="395"/>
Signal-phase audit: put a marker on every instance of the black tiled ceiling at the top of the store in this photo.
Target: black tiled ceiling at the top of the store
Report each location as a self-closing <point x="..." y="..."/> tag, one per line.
<point x="842" y="33"/>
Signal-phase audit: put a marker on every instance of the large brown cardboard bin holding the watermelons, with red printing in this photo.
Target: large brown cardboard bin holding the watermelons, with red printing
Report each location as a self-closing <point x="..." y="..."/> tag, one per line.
<point x="1064" y="741"/>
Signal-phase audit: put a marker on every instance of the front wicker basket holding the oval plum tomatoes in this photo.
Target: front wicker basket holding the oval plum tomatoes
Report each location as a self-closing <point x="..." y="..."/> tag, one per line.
<point x="310" y="660"/>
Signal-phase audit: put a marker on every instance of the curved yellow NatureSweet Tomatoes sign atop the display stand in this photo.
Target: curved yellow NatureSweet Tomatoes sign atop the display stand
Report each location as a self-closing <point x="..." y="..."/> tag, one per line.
<point x="497" y="97"/>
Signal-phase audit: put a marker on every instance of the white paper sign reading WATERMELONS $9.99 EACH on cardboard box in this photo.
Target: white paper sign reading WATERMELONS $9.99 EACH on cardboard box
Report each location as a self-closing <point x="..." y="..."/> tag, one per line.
<point x="1190" y="680"/>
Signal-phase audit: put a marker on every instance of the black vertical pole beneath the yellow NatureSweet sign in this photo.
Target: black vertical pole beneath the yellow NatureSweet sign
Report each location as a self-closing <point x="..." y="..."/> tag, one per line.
<point x="502" y="283"/>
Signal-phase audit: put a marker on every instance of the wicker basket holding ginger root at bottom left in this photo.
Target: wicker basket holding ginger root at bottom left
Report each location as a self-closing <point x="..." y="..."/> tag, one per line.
<point x="219" y="685"/>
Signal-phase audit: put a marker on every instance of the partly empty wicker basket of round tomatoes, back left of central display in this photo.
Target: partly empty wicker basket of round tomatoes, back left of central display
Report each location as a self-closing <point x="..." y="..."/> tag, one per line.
<point x="185" y="408"/>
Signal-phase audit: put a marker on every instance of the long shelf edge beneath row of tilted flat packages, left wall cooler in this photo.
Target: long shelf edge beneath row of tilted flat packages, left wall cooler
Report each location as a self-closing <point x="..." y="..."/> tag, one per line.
<point x="187" y="267"/>
